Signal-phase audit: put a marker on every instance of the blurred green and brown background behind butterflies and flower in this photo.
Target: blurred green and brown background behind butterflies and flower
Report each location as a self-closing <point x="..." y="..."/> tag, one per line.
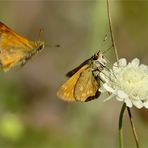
<point x="31" y="115"/>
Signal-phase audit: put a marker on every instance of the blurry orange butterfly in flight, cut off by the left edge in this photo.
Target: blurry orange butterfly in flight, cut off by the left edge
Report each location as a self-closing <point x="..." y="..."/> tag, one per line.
<point x="15" y="49"/>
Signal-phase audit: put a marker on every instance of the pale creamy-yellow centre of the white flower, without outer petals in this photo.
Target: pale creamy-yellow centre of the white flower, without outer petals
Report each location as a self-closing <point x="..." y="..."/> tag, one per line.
<point x="133" y="81"/>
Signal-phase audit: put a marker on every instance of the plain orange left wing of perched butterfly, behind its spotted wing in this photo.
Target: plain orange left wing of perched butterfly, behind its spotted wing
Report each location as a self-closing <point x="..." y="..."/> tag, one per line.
<point x="67" y="90"/>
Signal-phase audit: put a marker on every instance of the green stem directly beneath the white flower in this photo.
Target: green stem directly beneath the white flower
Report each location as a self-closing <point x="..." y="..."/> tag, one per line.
<point x="120" y="126"/>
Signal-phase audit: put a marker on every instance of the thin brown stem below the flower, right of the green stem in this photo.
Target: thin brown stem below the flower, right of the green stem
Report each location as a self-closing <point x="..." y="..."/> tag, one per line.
<point x="133" y="127"/>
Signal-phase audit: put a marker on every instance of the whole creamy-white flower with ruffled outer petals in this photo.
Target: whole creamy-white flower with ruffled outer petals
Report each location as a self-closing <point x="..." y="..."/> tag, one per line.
<point x="128" y="82"/>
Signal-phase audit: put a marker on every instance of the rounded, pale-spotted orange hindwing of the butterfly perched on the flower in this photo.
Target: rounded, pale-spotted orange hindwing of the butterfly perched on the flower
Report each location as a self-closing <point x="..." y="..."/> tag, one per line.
<point x="87" y="86"/>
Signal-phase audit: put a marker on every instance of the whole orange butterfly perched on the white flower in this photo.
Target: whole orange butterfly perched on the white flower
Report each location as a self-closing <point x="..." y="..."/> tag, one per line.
<point x="84" y="81"/>
